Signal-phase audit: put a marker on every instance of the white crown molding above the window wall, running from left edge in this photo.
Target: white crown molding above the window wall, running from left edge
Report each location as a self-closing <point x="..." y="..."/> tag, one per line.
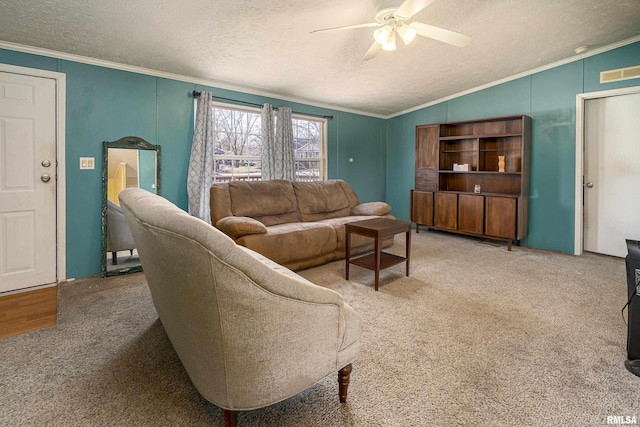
<point x="171" y="76"/>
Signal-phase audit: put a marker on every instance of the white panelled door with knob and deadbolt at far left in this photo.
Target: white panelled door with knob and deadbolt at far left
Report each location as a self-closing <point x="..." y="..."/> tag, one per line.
<point x="27" y="197"/>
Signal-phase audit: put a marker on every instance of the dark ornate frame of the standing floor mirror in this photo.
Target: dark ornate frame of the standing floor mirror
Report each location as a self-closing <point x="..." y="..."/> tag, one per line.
<point x="131" y="143"/>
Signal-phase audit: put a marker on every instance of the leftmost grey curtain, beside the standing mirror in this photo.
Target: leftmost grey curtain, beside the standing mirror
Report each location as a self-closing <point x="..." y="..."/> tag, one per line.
<point x="201" y="165"/>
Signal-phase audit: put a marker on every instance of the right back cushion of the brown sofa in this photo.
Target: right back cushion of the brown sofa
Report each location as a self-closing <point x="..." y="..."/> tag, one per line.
<point x="319" y="200"/>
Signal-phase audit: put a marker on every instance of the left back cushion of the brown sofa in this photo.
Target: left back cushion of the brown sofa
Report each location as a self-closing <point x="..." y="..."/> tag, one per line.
<point x="270" y="202"/>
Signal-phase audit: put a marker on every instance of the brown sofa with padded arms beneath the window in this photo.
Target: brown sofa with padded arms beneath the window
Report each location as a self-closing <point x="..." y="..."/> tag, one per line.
<point x="296" y="224"/>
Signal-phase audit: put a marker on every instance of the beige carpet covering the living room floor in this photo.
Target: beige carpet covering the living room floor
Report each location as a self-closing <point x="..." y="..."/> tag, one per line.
<point x="476" y="336"/>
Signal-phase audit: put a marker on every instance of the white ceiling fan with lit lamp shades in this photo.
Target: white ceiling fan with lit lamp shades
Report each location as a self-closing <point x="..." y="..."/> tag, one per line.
<point x="392" y="17"/>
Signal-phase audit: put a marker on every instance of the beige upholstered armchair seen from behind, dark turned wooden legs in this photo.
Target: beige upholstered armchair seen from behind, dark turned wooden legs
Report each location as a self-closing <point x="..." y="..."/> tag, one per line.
<point x="249" y="332"/>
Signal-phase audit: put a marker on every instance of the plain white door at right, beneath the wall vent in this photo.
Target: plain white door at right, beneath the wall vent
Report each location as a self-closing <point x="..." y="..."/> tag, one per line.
<point x="611" y="173"/>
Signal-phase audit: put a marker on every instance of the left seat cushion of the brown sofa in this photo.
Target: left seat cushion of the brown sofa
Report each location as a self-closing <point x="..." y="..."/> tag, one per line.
<point x="285" y="243"/>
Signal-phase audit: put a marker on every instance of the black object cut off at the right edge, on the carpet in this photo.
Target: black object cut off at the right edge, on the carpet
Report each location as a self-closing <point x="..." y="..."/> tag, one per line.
<point x="633" y="312"/>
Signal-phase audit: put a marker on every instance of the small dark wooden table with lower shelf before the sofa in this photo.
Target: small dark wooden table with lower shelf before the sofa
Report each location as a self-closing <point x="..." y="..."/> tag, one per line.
<point x="378" y="229"/>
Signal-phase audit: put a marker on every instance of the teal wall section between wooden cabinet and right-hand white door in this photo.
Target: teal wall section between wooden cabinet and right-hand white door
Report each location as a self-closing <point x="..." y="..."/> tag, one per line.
<point x="553" y="136"/>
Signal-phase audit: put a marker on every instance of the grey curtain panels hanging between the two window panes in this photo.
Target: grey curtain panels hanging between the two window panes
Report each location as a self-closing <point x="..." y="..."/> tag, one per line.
<point x="278" y="160"/>
